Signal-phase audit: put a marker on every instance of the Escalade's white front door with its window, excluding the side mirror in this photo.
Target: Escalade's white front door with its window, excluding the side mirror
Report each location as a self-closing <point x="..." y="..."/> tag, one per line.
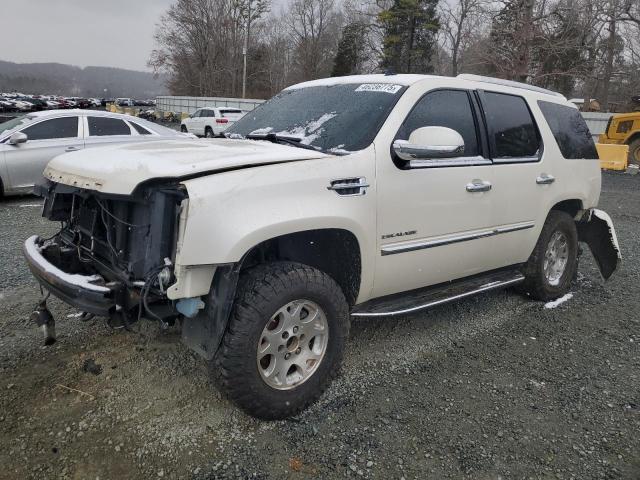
<point x="432" y="220"/>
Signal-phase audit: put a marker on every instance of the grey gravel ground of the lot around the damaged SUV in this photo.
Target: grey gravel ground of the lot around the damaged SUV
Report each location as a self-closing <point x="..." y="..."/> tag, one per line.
<point x="491" y="387"/>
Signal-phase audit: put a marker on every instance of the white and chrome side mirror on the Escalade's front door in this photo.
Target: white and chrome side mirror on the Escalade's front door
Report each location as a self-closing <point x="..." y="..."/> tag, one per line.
<point x="429" y="143"/>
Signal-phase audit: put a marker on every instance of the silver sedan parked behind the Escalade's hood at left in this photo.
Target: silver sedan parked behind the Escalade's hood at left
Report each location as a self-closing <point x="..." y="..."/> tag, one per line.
<point x="29" y="142"/>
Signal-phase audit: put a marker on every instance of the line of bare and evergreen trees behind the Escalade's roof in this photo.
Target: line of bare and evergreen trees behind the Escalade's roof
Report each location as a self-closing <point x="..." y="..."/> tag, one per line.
<point x="583" y="48"/>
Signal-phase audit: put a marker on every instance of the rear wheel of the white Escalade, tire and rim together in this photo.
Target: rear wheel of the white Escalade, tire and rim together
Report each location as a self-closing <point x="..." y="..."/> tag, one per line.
<point x="554" y="261"/>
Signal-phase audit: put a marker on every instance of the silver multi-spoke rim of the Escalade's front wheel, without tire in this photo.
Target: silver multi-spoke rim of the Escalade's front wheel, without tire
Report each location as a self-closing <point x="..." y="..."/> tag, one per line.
<point x="292" y="344"/>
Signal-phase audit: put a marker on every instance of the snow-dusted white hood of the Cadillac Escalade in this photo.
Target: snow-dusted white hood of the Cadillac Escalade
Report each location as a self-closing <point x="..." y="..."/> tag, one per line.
<point x="119" y="169"/>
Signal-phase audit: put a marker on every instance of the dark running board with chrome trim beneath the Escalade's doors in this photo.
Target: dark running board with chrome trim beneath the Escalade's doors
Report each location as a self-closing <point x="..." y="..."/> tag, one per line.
<point x="415" y="300"/>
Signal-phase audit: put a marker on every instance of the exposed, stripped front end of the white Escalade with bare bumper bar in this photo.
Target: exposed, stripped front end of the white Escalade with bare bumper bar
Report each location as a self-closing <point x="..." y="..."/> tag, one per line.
<point x="114" y="254"/>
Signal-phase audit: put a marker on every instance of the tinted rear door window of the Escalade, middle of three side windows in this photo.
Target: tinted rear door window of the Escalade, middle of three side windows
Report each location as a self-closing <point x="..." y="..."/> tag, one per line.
<point x="514" y="133"/>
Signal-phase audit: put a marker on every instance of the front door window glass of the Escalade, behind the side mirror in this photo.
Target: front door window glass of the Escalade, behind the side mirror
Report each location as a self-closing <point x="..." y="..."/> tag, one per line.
<point x="444" y="108"/>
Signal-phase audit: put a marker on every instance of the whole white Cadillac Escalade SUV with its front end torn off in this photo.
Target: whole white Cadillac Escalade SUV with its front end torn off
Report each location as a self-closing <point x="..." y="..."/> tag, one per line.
<point x="357" y="196"/>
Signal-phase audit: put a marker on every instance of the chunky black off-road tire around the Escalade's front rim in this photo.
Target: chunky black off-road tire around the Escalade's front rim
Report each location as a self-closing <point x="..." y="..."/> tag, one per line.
<point x="261" y="292"/>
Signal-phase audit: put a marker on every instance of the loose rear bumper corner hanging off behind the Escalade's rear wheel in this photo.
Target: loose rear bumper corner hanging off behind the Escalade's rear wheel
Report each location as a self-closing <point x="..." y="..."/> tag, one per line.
<point x="595" y="228"/>
